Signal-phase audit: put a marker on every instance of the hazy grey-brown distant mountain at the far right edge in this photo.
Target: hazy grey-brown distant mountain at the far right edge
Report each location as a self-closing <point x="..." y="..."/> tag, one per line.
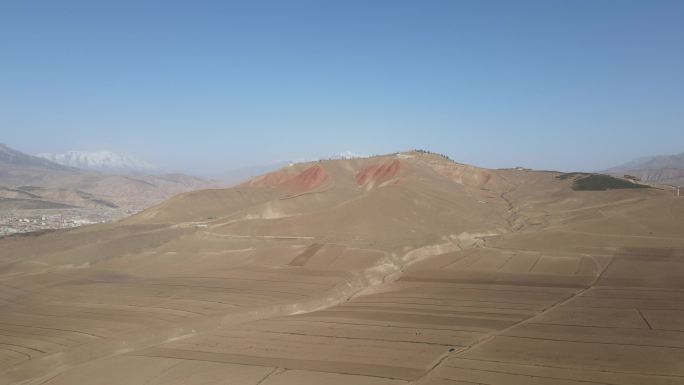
<point x="663" y="169"/>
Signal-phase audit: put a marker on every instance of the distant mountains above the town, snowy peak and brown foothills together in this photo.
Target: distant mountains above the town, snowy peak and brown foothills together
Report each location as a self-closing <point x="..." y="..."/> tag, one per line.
<point x="25" y="177"/>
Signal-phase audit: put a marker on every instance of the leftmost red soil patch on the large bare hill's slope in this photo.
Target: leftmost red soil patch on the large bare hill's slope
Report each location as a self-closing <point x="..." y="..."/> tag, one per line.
<point x="304" y="181"/>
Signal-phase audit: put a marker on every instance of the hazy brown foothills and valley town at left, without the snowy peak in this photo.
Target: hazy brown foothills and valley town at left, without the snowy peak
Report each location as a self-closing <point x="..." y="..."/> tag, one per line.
<point x="37" y="194"/>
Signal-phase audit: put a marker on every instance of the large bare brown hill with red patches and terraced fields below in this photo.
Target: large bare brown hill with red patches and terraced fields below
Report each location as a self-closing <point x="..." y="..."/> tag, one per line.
<point x="399" y="269"/>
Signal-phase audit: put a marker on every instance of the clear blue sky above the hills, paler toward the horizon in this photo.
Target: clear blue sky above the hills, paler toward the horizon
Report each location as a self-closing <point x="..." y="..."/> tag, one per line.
<point x="206" y="86"/>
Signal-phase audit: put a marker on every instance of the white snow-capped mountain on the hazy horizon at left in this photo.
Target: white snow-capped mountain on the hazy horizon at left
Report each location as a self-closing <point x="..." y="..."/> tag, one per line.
<point x="103" y="160"/>
